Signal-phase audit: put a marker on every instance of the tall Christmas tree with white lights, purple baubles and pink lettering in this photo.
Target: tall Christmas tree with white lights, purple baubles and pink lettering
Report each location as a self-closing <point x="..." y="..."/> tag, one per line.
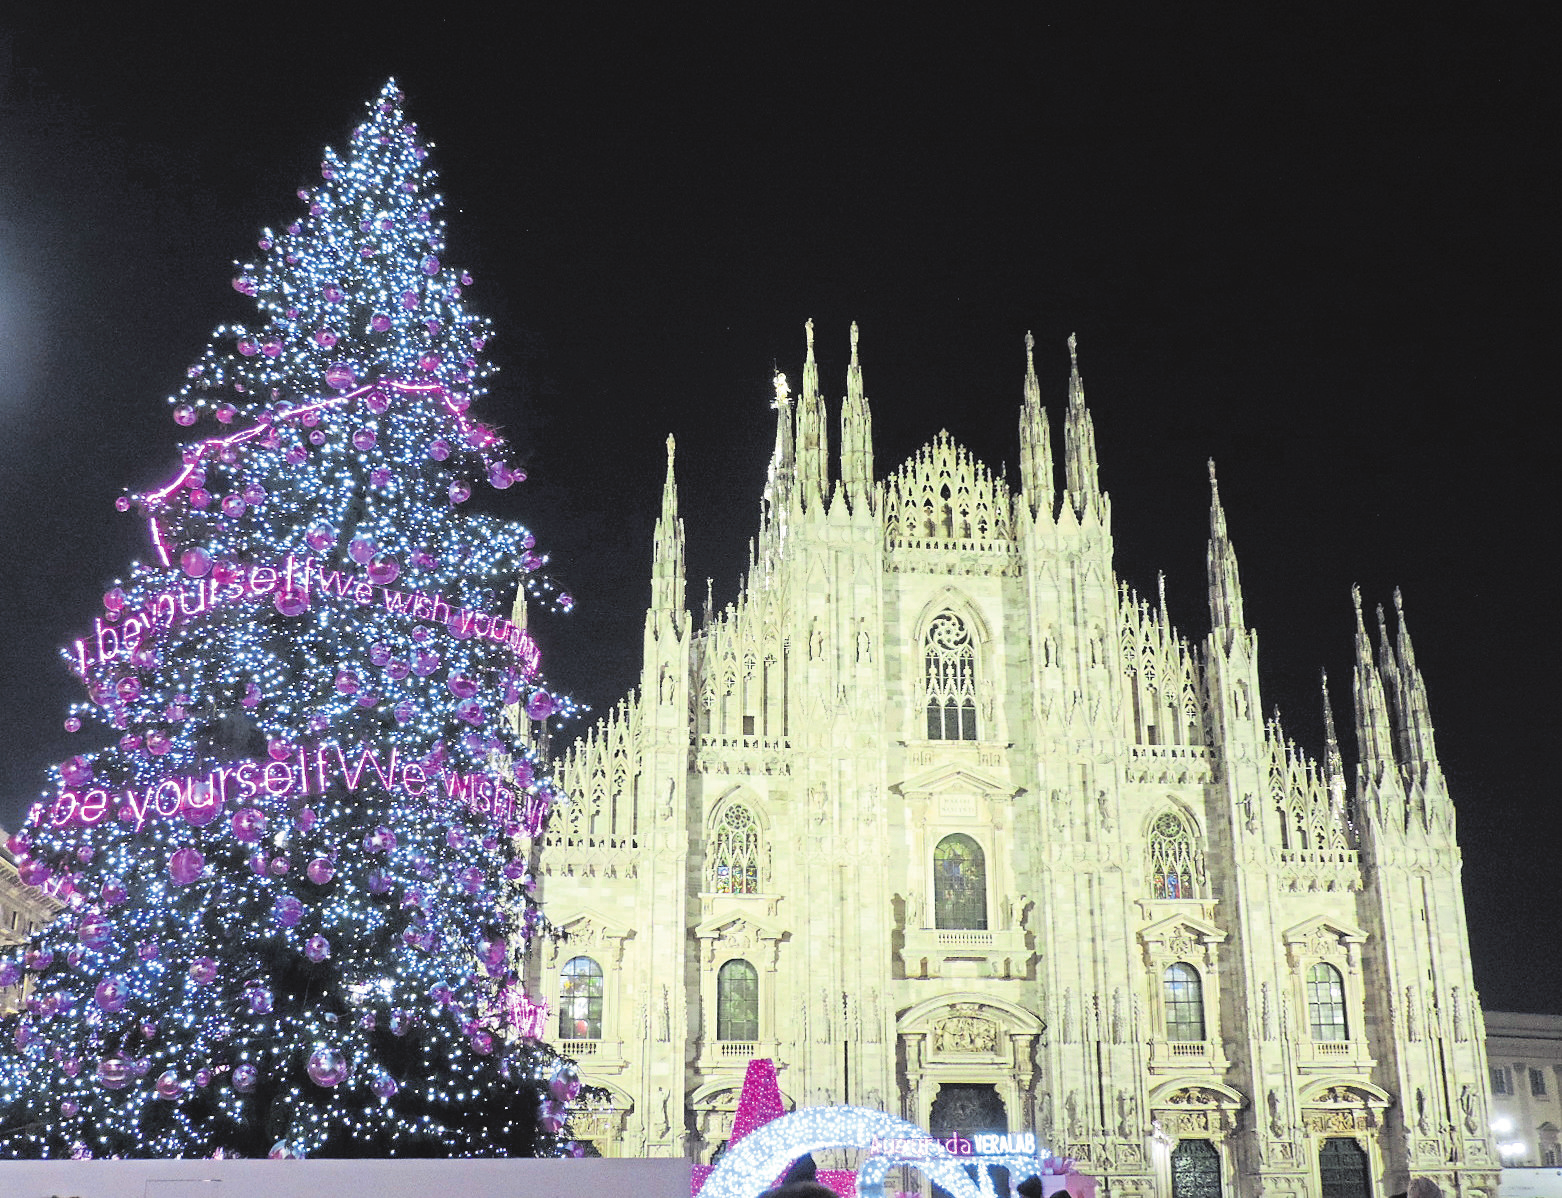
<point x="296" y="913"/>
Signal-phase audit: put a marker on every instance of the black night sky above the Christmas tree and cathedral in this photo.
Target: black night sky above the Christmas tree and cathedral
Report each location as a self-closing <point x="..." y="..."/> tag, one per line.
<point x="1319" y="248"/>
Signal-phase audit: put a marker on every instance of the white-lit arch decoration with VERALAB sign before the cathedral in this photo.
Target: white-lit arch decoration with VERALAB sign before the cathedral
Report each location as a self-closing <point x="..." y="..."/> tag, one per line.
<point x="758" y="1160"/>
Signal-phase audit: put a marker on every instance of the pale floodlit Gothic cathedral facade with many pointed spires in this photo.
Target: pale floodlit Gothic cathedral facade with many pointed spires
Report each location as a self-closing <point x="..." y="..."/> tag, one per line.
<point x="952" y="824"/>
